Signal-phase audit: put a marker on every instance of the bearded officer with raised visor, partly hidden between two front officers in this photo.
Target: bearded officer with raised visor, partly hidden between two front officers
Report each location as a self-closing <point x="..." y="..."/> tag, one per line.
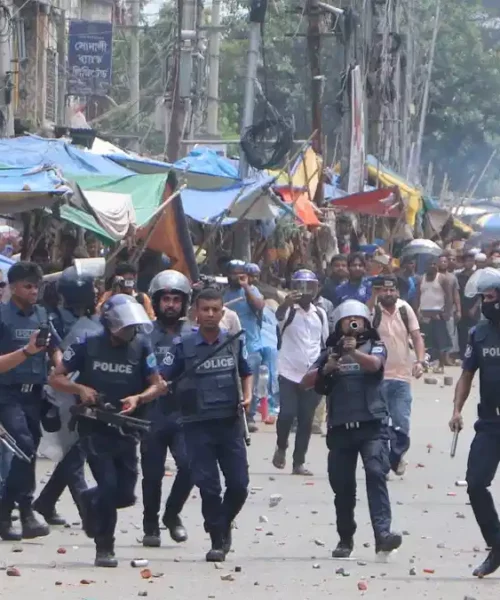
<point x="169" y="292"/>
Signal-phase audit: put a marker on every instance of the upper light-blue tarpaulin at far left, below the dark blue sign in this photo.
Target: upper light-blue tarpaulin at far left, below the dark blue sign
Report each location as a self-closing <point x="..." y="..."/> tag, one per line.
<point x="30" y="151"/>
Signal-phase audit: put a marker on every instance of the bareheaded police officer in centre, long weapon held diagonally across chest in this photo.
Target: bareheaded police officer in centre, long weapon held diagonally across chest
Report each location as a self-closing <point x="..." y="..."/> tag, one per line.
<point x="209" y="400"/>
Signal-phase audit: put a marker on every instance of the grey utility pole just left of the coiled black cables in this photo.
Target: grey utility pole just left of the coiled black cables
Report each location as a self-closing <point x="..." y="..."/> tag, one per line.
<point x="257" y="16"/>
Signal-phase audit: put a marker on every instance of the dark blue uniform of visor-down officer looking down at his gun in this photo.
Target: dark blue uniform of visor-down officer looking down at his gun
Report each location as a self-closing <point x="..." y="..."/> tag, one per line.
<point x="115" y="372"/>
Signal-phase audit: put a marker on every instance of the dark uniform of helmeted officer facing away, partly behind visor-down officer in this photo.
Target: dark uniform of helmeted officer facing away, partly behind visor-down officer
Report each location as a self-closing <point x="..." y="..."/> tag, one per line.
<point x="70" y="471"/>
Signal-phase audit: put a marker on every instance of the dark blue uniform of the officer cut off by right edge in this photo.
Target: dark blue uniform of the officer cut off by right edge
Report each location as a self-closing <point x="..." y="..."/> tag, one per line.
<point x="483" y="354"/>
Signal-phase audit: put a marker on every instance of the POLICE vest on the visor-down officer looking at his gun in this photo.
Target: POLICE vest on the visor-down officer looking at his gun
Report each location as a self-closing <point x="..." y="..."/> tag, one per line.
<point x="114" y="371"/>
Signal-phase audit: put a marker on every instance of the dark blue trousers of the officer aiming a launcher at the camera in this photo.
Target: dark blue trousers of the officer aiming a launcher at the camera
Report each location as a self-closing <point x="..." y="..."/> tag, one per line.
<point x="370" y="442"/>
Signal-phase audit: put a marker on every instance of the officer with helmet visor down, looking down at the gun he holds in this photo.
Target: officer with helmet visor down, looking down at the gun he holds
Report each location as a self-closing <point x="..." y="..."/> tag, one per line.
<point x="120" y="365"/>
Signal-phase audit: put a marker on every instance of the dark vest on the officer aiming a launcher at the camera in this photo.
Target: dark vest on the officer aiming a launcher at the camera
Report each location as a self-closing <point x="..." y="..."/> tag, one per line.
<point x="356" y="394"/>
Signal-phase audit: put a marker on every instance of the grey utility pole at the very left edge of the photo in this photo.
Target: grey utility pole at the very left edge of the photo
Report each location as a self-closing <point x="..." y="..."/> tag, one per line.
<point x="6" y="108"/>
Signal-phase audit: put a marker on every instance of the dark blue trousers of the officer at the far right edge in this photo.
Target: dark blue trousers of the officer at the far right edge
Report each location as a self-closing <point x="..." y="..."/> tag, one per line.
<point x="482" y="465"/>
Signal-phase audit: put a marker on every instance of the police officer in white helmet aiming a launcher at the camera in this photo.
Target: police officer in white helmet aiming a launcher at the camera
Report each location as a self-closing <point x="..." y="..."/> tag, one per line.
<point x="350" y="373"/>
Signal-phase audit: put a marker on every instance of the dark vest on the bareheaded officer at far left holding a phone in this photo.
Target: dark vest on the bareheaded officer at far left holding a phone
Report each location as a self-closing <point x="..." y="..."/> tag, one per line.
<point x="17" y="330"/>
